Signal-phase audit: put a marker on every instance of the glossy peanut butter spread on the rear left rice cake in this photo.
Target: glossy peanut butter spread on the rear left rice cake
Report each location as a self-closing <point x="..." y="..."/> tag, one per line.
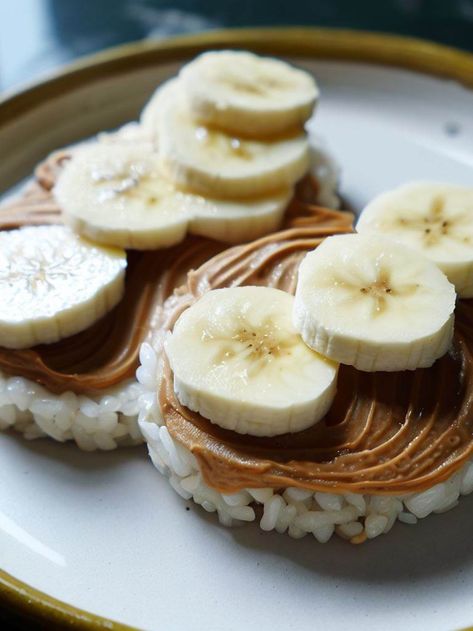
<point x="107" y="353"/>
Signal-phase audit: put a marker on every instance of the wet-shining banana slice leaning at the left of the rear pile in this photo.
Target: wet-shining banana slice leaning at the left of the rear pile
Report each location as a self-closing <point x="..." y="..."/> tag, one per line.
<point x="115" y="194"/>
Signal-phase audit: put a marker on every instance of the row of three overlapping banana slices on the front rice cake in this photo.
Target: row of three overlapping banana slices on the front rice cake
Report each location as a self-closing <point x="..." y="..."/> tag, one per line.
<point x="259" y="361"/>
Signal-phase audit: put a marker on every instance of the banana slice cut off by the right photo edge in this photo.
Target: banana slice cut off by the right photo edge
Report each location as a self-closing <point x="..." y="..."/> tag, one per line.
<point x="436" y="219"/>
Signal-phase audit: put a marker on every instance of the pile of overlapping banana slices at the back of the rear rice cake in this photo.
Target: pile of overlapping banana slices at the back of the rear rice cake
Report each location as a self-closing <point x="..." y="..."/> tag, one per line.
<point x="221" y="147"/>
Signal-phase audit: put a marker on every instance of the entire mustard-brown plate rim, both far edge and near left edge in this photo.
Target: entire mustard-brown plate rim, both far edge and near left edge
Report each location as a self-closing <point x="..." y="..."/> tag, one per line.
<point x="408" y="53"/>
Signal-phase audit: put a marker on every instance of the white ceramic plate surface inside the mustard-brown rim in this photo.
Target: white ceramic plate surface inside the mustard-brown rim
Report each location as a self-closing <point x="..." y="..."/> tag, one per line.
<point x="105" y="533"/>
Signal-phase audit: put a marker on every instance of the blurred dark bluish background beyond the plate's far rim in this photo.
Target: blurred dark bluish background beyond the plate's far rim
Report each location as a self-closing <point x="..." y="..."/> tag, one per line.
<point x="37" y="36"/>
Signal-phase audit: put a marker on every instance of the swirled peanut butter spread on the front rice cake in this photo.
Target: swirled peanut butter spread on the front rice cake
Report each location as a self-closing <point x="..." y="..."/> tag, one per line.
<point x="386" y="433"/>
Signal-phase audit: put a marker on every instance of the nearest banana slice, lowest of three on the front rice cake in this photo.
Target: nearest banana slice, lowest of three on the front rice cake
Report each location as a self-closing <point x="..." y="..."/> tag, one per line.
<point x="238" y="361"/>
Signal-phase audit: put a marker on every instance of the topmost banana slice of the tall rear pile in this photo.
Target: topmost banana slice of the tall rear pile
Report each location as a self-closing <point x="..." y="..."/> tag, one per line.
<point x="247" y="94"/>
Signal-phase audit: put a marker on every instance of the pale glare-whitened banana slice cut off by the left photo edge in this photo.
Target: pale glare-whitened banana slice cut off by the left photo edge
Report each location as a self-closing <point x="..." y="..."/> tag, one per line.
<point x="54" y="284"/>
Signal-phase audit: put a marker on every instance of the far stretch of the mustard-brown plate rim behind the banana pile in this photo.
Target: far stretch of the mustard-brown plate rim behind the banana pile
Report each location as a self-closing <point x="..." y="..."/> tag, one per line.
<point x="322" y="43"/>
